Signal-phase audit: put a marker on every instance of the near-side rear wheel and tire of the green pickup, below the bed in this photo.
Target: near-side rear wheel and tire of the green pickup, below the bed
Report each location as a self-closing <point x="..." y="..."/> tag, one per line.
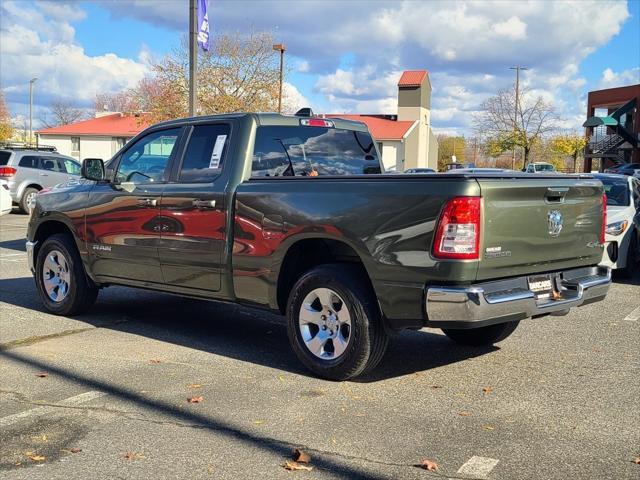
<point x="353" y="340"/>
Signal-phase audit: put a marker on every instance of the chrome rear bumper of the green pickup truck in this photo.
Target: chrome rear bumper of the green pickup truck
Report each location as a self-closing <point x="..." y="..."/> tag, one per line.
<point x="511" y="300"/>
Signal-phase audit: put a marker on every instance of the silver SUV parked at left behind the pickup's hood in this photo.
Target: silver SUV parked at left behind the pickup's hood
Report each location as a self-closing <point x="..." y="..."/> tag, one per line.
<point x="28" y="169"/>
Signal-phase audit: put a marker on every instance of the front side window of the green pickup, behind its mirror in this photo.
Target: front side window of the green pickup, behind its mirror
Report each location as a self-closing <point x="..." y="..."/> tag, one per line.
<point x="146" y="160"/>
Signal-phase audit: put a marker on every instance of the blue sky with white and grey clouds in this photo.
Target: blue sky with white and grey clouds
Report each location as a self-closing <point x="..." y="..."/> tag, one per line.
<point x="342" y="56"/>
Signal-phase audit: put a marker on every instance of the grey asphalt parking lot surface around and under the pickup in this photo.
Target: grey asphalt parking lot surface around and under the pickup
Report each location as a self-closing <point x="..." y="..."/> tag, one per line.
<point x="106" y="394"/>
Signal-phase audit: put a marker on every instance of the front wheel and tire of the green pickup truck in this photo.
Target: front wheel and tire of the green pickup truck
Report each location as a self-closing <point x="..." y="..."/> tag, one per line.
<point x="74" y="292"/>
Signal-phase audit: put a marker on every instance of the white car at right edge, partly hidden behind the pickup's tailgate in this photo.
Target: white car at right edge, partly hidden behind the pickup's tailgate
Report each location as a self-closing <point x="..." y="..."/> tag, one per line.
<point x="622" y="239"/>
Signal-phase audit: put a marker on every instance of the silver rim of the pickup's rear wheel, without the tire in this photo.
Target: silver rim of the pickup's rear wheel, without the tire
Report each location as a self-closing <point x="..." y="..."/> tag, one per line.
<point x="325" y="323"/>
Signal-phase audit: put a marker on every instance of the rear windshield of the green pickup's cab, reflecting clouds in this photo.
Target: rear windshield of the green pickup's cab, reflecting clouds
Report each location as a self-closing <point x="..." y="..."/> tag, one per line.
<point x="313" y="151"/>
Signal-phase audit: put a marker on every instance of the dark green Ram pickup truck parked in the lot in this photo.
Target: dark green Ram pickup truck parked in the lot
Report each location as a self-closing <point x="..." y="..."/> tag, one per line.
<point x="291" y="214"/>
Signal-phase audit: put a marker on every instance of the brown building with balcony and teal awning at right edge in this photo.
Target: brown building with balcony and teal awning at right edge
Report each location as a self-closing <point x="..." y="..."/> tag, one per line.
<point x="612" y="127"/>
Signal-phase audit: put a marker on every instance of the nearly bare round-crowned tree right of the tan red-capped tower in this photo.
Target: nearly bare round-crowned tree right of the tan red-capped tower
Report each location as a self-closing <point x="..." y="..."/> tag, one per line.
<point x="504" y="129"/>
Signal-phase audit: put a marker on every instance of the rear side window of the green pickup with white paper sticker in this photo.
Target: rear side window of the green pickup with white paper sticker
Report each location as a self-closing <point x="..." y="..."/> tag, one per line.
<point x="205" y="153"/>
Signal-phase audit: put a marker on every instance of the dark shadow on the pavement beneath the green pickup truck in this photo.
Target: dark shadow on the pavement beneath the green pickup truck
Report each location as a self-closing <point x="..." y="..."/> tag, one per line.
<point x="234" y="331"/>
